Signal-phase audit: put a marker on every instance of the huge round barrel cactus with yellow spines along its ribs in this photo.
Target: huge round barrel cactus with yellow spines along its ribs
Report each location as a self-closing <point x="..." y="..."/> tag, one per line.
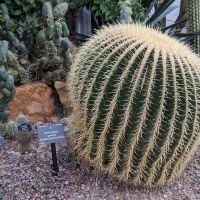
<point x="135" y="93"/>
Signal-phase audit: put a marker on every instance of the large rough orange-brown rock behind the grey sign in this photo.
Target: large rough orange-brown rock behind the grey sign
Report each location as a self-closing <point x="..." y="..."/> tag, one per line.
<point x="34" y="101"/>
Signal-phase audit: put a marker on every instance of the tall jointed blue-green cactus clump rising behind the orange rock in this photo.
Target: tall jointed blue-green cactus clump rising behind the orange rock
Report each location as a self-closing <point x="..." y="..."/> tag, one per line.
<point x="52" y="43"/>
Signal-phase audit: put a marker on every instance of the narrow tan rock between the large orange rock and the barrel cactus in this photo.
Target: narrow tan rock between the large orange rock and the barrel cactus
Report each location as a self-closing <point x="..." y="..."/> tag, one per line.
<point x="64" y="97"/>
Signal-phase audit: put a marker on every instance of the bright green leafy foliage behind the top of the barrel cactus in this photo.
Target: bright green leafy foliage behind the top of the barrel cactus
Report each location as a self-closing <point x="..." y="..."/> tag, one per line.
<point x="109" y="10"/>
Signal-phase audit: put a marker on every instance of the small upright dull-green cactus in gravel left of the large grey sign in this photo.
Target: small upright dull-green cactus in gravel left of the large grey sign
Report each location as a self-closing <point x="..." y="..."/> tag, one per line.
<point x="24" y="138"/>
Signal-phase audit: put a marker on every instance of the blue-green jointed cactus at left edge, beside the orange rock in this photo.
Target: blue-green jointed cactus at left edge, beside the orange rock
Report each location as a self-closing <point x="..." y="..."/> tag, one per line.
<point x="7" y="88"/>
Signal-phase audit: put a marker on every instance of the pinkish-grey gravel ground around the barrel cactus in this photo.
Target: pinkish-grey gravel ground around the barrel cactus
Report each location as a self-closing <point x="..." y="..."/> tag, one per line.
<point x="29" y="176"/>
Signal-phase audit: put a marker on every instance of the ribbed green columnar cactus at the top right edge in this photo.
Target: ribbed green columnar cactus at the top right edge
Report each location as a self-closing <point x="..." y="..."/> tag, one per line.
<point x="194" y="22"/>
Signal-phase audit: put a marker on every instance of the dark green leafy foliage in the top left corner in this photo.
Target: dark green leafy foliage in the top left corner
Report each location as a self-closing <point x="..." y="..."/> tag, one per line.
<point x="20" y="8"/>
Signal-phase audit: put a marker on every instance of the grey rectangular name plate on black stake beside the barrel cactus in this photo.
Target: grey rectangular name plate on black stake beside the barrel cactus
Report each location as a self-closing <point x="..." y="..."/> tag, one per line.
<point x="51" y="133"/>
